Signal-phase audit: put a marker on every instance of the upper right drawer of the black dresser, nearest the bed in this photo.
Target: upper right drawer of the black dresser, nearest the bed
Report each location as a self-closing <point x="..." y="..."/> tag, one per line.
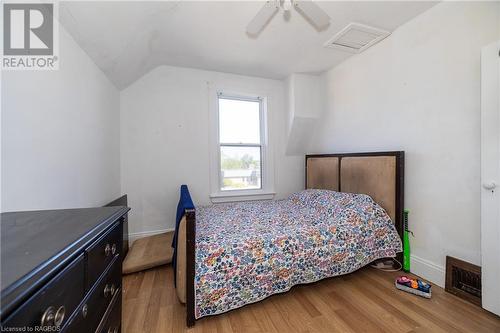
<point x="102" y="252"/>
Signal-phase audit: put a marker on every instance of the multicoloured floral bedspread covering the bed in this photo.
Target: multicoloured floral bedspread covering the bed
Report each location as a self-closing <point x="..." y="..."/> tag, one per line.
<point x="248" y="251"/>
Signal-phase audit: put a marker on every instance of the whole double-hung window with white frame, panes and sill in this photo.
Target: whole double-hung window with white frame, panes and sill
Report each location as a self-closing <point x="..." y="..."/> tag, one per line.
<point x="241" y="151"/>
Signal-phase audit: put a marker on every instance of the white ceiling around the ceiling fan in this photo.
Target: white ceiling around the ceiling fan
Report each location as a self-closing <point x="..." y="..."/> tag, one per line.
<point x="127" y="39"/>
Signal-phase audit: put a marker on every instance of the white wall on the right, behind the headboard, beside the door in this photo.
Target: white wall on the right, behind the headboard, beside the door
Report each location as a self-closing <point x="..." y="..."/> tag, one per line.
<point x="419" y="91"/>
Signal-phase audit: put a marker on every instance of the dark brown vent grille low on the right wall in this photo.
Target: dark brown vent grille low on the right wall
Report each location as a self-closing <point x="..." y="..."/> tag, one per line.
<point x="463" y="279"/>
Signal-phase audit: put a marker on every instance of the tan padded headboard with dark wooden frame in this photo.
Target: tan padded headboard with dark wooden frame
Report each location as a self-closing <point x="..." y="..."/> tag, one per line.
<point x="378" y="174"/>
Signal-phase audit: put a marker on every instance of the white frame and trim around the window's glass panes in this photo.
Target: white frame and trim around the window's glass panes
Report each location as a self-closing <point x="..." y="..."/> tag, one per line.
<point x="267" y="172"/>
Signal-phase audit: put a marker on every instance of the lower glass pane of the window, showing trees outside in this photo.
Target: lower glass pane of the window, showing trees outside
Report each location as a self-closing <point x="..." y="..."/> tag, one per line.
<point x="240" y="168"/>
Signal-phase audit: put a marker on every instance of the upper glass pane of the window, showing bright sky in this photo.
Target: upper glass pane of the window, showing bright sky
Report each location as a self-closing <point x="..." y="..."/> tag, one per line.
<point x="239" y="121"/>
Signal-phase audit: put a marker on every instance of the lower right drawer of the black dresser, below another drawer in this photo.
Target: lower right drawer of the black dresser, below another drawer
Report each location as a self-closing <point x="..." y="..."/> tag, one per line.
<point x="91" y="311"/>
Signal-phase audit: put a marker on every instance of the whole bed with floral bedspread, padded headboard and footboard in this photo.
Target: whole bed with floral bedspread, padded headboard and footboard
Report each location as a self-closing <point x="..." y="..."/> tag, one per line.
<point x="233" y="254"/>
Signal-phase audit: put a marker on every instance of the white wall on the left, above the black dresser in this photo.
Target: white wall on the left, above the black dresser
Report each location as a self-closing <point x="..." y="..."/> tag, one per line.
<point x="60" y="135"/>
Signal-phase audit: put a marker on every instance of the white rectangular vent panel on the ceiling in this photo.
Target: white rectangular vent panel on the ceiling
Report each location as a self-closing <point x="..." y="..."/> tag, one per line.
<point x="356" y="38"/>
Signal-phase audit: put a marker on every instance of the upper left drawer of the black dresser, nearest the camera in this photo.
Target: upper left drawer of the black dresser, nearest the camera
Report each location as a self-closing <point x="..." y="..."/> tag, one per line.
<point x="55" y="302"/>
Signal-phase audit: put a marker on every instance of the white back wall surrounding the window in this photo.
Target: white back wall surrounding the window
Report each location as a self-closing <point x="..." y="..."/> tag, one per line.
<point x="165" y="141"/>
